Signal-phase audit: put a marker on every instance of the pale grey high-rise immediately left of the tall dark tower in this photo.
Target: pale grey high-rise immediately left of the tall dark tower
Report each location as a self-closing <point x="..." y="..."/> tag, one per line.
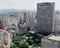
<point x="32" y="20"/>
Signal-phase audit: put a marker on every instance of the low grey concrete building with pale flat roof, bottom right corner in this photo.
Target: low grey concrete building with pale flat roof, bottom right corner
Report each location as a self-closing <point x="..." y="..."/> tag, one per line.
<point x="51" y="41"/>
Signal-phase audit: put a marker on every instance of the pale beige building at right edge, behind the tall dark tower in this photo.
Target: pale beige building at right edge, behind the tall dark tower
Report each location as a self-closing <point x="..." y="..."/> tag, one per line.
<point x="57" y="22"/>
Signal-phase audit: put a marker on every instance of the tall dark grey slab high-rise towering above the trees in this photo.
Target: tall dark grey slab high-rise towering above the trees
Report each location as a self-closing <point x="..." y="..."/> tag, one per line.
<point x="45" y="17"/>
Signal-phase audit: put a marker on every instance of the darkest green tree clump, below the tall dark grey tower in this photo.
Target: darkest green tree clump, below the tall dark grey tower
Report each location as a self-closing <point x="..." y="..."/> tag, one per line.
<point x="35" y="38"/>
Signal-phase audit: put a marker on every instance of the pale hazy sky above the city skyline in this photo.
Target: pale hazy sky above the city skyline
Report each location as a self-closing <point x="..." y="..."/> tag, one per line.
<point x="25" y="4"/>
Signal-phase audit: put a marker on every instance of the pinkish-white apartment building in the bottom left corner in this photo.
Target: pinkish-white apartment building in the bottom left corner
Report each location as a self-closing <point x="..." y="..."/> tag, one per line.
<point x="5" y="40"/>
